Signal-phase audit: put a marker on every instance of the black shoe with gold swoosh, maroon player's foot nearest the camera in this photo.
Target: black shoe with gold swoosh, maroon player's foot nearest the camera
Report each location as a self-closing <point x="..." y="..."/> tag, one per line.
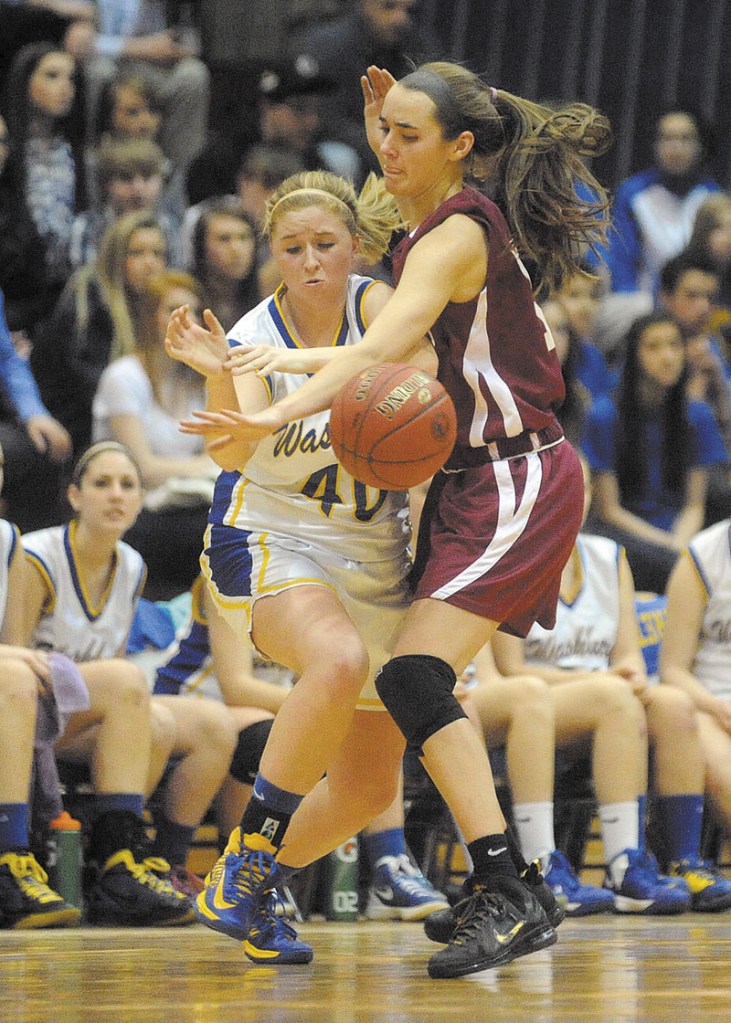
<point x="494" y="928"/>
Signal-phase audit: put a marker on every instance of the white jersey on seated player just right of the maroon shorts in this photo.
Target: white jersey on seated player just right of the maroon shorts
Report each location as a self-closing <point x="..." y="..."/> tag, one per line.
<point x="586" y="621"/>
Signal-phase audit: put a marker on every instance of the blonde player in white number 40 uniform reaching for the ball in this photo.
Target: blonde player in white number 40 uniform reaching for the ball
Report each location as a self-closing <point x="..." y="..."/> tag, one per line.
<point x="313" y="562"/>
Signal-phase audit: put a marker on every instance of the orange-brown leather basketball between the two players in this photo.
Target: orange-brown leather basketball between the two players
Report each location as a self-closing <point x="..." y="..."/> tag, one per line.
<point x="393" y="426"/>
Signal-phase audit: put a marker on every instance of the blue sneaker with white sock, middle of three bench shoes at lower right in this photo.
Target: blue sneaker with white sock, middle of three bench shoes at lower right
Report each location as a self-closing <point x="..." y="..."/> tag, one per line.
<point x="634" y="879"/>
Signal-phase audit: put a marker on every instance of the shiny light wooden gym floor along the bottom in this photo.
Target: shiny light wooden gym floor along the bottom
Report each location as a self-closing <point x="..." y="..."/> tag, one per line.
<point x="604" y="970"/>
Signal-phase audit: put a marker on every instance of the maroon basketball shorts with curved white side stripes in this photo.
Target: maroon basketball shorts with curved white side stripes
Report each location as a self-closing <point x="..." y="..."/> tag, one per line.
<point x="494" y="539"/>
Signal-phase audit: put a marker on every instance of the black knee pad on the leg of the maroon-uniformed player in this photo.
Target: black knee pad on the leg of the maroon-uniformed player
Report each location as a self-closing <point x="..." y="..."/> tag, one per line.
<point x="418" y="690"/>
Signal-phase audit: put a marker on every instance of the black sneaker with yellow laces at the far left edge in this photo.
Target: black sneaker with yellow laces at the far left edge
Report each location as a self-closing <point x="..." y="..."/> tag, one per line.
<point x="26" y="901"/>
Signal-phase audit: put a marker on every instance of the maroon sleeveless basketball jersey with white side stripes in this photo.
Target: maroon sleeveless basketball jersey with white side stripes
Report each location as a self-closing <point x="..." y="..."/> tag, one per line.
<point x="496" y="354"/>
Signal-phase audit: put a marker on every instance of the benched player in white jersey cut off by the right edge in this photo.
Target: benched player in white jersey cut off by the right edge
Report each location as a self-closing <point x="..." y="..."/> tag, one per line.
<point x="697" y="650"/>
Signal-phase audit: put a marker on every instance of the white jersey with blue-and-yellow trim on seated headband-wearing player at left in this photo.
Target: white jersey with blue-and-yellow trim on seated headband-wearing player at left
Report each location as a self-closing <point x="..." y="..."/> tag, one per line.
<point x="70" y="624"/>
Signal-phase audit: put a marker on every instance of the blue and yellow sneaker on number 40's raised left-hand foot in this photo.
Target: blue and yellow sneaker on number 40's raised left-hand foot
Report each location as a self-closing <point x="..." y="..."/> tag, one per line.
<point x="236" y="887"/>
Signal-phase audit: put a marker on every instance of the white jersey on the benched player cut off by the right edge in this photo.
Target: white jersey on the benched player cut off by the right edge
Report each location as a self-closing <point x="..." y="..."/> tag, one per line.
<point x="711" y="554"/>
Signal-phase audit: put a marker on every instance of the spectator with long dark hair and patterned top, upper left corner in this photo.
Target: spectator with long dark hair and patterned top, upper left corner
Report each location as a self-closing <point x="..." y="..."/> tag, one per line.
<point x="44" y="112"/>
